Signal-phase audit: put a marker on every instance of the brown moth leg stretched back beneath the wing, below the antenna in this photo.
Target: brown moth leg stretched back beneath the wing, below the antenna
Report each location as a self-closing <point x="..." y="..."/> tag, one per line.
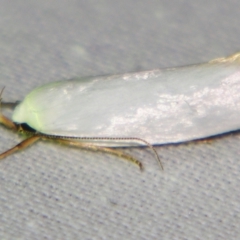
<point x="95" y="148"/>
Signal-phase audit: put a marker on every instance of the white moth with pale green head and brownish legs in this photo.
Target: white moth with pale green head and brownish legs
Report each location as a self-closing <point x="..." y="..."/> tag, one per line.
<point x="148" y="108"/>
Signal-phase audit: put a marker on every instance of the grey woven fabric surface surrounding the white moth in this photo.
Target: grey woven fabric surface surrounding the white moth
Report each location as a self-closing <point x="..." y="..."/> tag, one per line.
<point x="53" y="192"/>
